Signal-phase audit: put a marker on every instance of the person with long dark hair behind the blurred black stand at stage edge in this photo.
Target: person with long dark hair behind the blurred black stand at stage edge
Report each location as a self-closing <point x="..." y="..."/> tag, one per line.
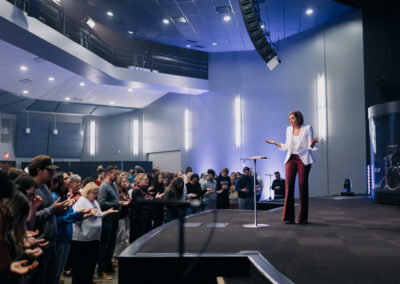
<point x="174" y="192"/>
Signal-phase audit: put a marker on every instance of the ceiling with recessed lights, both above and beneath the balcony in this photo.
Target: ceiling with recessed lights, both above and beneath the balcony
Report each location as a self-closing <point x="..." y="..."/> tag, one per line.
<point x="204" y="26"/>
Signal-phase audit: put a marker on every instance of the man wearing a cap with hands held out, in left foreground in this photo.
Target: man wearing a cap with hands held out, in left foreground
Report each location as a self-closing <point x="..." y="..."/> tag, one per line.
<point x="42" y="169"/>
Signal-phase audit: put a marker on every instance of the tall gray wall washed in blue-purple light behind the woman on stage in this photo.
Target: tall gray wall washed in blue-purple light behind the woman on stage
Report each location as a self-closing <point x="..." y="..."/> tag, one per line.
<point x="267" y="98"/>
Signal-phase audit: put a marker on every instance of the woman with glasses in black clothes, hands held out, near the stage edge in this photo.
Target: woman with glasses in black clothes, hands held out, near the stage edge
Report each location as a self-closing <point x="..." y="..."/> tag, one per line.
<point x="141" y="213"/>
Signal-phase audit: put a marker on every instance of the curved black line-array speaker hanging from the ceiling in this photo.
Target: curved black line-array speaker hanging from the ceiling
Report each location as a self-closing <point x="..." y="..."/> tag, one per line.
<point x="256" y="33"/>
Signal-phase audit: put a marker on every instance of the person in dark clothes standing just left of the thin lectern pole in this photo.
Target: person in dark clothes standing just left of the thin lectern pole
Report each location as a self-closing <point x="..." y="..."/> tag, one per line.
<point x="245" y="189"/>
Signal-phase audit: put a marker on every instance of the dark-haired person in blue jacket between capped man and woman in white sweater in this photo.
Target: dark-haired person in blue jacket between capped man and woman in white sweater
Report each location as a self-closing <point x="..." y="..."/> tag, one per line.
<point x="64" y="223"/>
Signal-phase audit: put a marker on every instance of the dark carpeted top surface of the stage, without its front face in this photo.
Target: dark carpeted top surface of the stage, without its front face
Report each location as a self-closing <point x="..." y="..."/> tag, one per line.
<point x="348" y="240"/>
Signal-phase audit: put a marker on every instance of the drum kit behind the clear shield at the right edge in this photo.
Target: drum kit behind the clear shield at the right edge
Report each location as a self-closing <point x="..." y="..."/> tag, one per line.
<point x="392" y="166"/>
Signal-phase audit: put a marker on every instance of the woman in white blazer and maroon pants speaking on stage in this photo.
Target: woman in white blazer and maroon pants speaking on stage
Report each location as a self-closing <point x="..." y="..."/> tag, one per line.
<point x="299" y="144"/>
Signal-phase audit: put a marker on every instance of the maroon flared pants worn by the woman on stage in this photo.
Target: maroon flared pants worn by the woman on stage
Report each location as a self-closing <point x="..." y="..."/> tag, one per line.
<point x="294" y="166"/>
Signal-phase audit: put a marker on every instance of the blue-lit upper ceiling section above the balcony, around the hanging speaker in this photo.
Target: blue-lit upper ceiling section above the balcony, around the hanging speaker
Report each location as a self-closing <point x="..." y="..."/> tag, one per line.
<point x="204" y="26"/>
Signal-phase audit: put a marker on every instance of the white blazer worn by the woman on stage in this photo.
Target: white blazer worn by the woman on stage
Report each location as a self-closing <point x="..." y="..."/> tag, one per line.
<point x="303" y="148"/>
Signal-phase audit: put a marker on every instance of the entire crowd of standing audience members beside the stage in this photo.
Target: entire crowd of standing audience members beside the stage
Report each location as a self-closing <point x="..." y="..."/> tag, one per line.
<point x="41" y="227"/>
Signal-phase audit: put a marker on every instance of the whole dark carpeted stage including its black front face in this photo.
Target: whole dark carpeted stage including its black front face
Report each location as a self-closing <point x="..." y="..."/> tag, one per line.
<point x="348" y="240"/>
